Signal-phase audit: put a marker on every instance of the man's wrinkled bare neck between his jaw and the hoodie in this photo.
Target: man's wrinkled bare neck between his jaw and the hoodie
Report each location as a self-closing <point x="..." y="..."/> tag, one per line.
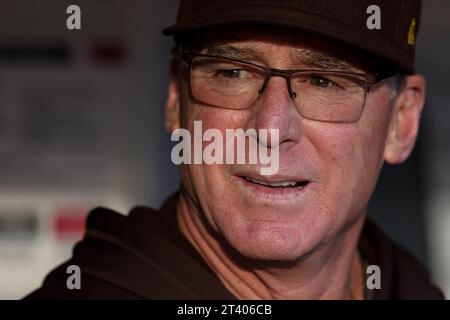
<point x="332" y="271"/>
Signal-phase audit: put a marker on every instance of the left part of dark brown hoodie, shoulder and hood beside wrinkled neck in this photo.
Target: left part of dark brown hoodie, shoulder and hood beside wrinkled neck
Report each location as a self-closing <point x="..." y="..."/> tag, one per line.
<point x="139" y="256"/>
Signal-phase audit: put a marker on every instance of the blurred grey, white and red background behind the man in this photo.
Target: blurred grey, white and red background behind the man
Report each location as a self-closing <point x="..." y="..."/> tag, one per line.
<point x="81" y="125"/>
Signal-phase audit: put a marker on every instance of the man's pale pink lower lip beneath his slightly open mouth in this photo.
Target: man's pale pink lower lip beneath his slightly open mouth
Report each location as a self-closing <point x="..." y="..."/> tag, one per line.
<point x="259" y="191"/>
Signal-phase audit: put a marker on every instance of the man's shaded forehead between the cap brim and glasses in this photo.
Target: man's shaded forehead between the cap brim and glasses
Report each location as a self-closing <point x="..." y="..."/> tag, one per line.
<point x="246" y="42"/>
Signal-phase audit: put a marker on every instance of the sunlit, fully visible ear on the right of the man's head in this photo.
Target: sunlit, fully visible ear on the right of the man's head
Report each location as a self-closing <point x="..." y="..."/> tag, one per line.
<point x="405" y="121"/>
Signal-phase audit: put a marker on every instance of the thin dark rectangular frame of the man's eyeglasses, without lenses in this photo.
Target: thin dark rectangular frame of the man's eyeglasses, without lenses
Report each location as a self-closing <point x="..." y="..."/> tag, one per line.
<point x="371" y="79"/>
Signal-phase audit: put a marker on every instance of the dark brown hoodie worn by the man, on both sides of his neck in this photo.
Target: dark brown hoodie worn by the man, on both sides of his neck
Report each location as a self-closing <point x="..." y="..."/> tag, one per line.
<point x="144" y="256"/>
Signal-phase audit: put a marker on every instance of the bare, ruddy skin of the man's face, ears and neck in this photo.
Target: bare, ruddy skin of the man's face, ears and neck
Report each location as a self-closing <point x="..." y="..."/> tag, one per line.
<point x="267" y="244"/>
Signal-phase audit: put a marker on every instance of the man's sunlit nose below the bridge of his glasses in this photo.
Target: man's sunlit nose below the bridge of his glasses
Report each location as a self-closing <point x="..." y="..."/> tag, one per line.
<point x="276" y="110"/>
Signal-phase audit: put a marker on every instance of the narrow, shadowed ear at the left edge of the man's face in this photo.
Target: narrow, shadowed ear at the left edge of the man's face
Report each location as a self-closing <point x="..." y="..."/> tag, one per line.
<point x="172" y="109"/>
